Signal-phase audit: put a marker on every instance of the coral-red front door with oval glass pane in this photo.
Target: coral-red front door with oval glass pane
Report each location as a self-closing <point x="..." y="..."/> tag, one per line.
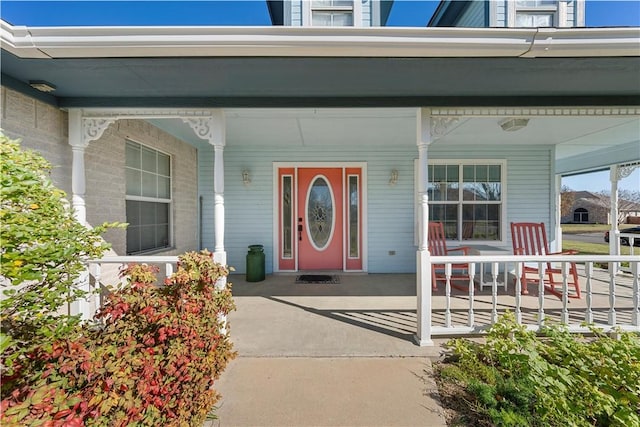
<point x="320" y="219"/>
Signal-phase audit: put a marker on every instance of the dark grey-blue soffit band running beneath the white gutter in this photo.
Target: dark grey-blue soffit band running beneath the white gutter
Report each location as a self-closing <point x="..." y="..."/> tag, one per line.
<point x="328" y="82"/>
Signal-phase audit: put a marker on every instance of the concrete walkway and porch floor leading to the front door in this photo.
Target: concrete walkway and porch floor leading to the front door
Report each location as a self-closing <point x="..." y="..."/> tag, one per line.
<point x="327" y="355"/>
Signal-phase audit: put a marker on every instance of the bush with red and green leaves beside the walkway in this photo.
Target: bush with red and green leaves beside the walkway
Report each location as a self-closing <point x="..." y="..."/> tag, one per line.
<point x="153" y="361"/>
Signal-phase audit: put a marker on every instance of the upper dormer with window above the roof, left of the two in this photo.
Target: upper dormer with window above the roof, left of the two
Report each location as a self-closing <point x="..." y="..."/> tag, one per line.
<point x="329" y="13"/>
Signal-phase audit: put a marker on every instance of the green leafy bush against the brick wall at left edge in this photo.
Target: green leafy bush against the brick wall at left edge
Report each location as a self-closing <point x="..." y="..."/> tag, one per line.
<point x="42" y="254"/>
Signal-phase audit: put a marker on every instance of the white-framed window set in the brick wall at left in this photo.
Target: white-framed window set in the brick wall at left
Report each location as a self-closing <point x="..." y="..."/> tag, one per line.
<point x="148" y="198"/>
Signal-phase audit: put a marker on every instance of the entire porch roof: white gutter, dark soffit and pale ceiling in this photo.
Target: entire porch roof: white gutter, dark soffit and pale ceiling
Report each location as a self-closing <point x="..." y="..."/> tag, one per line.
<point x="304" y="69"/>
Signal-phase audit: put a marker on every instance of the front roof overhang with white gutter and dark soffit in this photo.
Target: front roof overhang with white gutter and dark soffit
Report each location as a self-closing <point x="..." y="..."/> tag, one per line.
<point x="331" y="67"/>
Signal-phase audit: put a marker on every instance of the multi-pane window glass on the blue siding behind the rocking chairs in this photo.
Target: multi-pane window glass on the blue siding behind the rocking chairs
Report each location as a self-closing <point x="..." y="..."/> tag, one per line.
<point x="468" y="199"/>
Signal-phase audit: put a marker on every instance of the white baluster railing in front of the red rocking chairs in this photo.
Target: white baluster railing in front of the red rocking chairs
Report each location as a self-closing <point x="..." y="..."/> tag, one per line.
<point x="608" y="300"/>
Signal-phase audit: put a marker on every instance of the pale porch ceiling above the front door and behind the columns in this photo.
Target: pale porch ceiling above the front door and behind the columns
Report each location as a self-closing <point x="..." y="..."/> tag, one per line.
<point x="604" y="140"/>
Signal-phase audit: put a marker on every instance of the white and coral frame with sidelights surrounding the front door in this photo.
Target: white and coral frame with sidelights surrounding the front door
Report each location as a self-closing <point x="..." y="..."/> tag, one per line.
<point x="276" y="209"/>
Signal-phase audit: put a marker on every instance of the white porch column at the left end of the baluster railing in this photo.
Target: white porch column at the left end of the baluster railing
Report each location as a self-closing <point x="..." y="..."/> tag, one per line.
<point x="423" y="262"/>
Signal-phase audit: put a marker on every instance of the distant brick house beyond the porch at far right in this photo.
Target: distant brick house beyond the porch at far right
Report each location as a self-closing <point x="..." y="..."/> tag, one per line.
<point x="591" y="208"/>
